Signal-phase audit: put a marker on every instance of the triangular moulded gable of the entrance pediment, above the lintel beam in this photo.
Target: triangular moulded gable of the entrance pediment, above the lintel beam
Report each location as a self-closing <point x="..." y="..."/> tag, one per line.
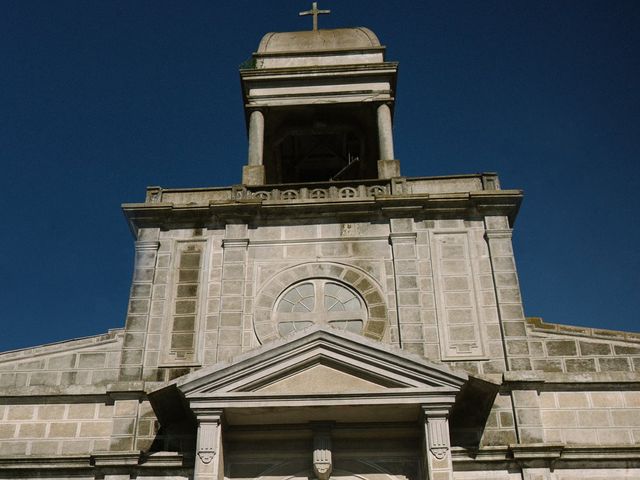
<point x="320" y="360"/>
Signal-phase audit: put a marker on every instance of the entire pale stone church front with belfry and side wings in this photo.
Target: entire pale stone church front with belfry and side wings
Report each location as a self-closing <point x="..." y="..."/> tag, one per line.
<point x="326" y="318"/>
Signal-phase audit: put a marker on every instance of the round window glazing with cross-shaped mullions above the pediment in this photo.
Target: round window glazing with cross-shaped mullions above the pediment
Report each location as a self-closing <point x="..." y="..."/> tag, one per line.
<point x="319" y="301"/>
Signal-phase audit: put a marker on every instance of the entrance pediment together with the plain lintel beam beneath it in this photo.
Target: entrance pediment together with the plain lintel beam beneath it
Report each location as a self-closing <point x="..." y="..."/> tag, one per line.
<point x="319" y="374"/>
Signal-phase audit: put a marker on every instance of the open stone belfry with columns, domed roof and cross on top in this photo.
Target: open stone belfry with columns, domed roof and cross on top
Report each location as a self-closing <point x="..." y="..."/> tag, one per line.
<point x="319" y="107"/>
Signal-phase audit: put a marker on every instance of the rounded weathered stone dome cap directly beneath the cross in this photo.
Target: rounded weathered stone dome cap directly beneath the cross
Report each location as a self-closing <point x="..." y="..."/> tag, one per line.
<point x="309" y="40"/>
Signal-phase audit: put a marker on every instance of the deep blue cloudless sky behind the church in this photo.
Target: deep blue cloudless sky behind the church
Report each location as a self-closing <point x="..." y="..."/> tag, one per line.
<point x="99" y="99"/>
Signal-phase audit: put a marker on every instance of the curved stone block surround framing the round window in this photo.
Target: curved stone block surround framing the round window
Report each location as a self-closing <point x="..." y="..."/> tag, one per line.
<point x="367" y="289"/>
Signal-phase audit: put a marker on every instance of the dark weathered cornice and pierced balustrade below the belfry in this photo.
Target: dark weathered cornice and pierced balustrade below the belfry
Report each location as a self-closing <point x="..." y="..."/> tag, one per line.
<point x="452" y="197"/>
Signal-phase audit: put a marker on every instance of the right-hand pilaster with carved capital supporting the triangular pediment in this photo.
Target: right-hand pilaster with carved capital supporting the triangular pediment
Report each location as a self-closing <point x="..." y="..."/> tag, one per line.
<point x="437" y="447"/>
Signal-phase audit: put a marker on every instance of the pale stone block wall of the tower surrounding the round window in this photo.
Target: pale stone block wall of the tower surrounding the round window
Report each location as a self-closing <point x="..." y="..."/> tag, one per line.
<point x="200" y="296"/>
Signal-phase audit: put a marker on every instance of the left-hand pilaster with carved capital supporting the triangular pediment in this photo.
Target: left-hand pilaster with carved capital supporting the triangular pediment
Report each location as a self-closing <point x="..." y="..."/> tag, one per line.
<point x="208" y="461"/>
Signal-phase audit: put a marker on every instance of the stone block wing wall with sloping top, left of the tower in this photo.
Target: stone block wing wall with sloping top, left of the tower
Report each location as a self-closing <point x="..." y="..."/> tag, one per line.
<point x="54" y="398"/>
